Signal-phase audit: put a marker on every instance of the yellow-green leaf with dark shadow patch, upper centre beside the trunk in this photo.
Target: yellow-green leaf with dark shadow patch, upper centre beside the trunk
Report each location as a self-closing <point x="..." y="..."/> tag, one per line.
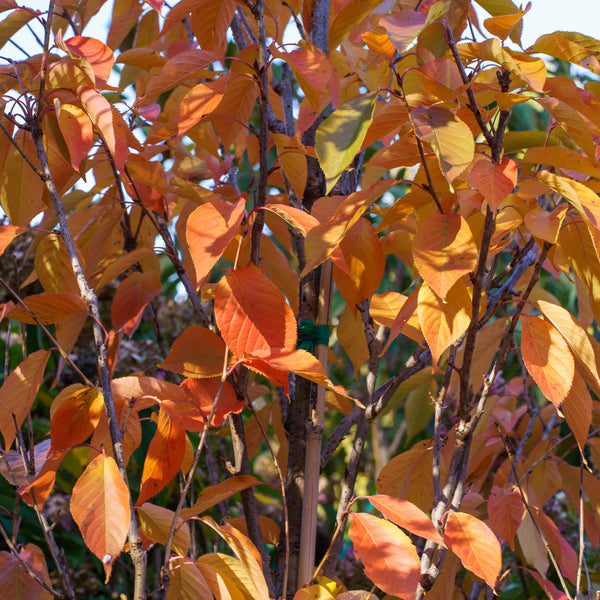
<point x="341" y="134"/>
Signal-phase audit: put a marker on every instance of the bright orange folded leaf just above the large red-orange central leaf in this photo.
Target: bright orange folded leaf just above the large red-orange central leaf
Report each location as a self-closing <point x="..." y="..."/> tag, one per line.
<point x="209" y="230"/>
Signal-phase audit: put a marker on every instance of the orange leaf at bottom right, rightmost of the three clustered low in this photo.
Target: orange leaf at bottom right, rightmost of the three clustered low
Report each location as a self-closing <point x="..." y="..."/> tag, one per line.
<point x="475" y="544"/>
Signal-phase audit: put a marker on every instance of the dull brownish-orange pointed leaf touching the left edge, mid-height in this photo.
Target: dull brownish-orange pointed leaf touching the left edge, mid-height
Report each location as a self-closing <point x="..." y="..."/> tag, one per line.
<point x="18" y="393"/>
